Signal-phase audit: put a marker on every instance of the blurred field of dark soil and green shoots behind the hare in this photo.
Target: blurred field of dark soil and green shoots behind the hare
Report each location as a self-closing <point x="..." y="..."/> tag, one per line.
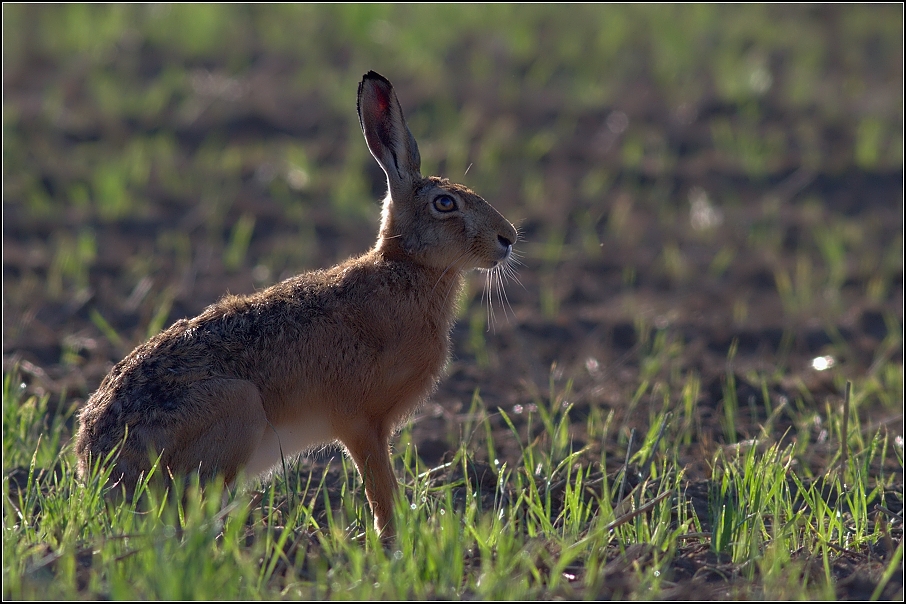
<point x="701" y="190"/>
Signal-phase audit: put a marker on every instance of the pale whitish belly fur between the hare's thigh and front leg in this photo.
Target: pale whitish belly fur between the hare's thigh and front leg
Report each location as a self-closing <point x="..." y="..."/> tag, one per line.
<point x="287" y="440"/>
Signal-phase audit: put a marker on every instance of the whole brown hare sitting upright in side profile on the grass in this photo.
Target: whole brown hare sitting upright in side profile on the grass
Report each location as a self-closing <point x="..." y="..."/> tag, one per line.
<point x="342" y="355"/>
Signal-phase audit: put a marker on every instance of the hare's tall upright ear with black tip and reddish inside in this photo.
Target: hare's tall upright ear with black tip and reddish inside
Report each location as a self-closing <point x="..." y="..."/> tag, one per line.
<point x="386" y="133"/>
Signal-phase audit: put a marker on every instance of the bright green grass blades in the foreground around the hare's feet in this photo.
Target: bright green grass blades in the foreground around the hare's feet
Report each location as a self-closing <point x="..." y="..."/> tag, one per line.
<point x="545" y="524"/>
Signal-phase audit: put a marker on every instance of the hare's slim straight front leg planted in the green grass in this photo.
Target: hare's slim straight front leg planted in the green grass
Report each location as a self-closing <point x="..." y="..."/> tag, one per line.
<point x="370" y="450"/>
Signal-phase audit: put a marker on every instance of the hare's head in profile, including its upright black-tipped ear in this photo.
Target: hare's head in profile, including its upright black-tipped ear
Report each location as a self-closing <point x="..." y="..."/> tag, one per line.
<point x="430" y="220"/>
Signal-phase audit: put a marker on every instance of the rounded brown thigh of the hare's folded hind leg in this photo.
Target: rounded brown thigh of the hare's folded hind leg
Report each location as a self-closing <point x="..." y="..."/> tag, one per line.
<point x="228" y="424"/>
